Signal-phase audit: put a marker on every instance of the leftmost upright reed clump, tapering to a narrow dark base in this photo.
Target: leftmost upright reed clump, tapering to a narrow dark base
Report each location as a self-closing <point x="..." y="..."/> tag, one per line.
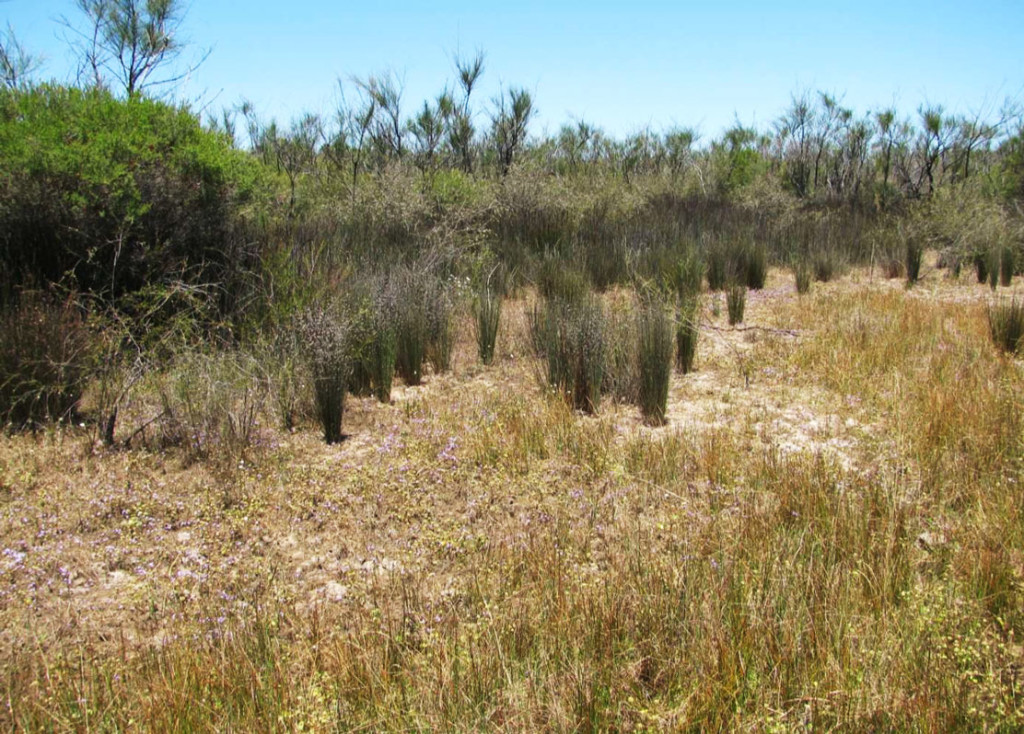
<point x="325" y="337"/>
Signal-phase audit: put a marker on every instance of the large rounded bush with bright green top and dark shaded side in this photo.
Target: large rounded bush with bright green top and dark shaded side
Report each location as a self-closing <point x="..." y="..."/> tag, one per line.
<point x="116" y="193"/>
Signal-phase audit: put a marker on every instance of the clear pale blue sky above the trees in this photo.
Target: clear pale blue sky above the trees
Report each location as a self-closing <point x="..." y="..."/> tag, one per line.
<point x="620" y="66"/>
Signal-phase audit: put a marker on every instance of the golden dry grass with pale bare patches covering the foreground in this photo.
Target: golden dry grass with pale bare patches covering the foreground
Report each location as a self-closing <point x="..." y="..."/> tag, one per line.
<point x="827" y="534"/>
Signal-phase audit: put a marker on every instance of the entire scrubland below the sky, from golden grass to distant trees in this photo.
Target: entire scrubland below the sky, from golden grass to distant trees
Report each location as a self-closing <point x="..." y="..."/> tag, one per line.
<point x="423" y="423"/>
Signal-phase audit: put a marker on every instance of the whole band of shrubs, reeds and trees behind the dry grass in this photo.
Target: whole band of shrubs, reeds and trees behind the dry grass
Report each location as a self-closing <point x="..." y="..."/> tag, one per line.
<point x="137" y="238"/>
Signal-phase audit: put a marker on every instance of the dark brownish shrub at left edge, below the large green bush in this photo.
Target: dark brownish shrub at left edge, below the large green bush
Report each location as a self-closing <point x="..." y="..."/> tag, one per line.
<point x="44" y="361"/>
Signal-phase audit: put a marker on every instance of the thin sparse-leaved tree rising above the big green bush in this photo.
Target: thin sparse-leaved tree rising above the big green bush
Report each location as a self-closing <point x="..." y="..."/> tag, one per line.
<point x="132" y="42"/>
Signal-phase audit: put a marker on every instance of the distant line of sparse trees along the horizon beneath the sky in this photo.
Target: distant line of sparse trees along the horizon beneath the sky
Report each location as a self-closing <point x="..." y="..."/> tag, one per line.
<point x="818" y="151"/>
